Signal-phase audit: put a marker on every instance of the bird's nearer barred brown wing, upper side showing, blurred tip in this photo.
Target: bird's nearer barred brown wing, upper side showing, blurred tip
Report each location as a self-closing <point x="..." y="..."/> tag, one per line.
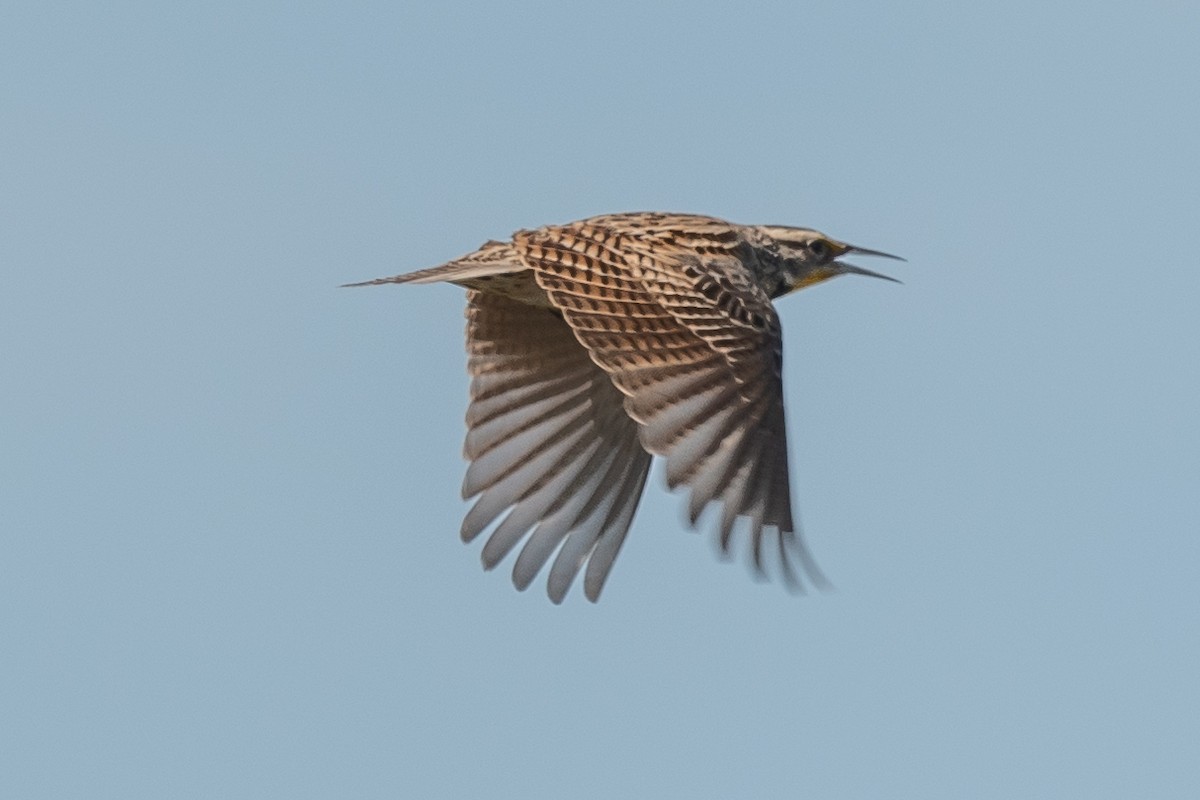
<point x="697" y="348"/>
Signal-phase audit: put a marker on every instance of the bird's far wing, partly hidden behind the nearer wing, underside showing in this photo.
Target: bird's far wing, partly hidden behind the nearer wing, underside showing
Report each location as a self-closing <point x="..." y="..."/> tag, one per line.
<point x="549" y="438"/>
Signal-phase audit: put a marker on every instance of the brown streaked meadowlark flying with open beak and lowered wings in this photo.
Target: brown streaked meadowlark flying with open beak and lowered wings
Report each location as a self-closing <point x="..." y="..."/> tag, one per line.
<point x="593" y="346"/>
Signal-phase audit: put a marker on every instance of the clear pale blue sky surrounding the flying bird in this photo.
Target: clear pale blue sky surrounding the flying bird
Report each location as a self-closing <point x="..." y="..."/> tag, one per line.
<point x="230" y="490"/>
